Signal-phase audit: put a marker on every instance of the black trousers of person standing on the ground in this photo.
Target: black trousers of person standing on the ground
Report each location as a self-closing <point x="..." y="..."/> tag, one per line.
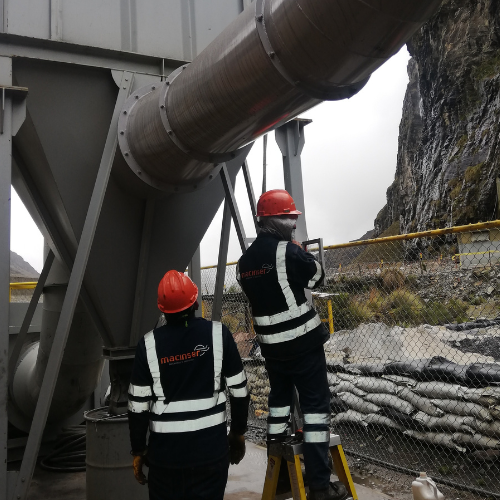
<point x="207" y="482"/>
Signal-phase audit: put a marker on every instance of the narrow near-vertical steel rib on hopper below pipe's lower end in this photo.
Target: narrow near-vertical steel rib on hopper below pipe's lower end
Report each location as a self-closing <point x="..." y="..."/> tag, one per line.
<point x="147" y="228"/>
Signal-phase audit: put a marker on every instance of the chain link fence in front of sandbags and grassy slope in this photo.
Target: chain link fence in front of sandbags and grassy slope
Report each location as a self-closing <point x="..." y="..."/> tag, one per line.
<point x="413" y="358"/>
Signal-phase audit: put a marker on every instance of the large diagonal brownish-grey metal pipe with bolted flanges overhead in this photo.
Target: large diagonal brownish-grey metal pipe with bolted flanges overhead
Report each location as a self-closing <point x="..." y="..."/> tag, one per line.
<point x="275" y="61"/>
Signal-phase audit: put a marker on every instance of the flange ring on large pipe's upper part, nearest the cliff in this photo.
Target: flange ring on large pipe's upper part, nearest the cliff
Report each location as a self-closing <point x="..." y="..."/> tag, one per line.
<point x="319" y="90"/>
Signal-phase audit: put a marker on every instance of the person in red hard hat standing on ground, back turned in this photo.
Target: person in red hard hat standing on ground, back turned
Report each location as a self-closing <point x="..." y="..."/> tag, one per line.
<point x="177" y="391"/>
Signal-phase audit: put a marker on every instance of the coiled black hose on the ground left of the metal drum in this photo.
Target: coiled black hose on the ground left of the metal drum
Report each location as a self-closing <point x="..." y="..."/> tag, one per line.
<point x="69" y="452"/>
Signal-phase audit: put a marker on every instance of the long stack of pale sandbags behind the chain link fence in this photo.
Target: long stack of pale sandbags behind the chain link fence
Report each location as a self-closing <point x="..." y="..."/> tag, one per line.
<point x="419" y="399"/>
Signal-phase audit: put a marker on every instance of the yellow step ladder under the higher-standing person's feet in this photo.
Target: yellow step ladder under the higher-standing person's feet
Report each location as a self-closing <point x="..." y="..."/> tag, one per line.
<point x="290" y="453"/>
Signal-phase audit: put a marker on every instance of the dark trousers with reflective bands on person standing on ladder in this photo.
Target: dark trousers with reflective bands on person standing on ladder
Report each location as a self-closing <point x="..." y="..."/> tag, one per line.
<point x="308" y="374"/>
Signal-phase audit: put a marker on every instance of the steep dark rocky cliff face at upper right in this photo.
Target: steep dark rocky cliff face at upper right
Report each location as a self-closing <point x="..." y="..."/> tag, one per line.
<point x="449" y="154"/>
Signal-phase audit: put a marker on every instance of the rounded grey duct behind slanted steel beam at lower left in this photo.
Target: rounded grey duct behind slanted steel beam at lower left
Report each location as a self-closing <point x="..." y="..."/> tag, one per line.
<point x="80" y="369"/>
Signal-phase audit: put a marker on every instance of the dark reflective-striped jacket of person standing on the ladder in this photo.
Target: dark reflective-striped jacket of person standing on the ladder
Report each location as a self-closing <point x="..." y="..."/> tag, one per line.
<point x="273" y="274"/>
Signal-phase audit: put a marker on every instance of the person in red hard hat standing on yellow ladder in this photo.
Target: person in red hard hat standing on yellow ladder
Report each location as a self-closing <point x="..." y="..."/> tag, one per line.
<point x="273" y="273"/>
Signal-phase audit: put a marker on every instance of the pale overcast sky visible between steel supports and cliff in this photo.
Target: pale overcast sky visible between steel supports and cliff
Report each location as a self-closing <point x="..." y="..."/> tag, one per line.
<point x="348" y="162"/>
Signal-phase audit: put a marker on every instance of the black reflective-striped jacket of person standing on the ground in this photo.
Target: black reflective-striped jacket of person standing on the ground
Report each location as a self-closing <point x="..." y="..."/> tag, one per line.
<point x="178" y="390"/>
